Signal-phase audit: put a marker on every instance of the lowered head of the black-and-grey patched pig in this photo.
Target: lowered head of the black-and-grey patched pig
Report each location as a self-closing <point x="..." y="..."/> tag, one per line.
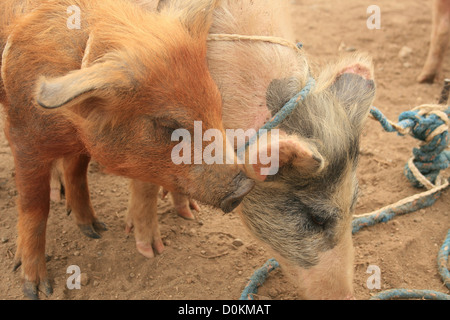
<point x="304" y="212"/>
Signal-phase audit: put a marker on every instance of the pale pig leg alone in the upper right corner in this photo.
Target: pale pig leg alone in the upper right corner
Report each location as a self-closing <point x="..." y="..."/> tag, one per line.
<point x="439" y="41"/>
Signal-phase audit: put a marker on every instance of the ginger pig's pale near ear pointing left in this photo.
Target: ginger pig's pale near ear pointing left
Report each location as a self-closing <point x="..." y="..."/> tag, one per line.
<point x="80" y="84"/>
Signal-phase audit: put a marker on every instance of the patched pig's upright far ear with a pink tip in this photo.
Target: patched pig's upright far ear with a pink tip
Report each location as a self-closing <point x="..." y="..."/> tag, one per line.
<point x="355" y="89"/>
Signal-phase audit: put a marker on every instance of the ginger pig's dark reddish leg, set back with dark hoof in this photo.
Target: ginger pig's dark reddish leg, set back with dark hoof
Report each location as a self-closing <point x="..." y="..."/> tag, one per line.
<point x="77" y="196"/>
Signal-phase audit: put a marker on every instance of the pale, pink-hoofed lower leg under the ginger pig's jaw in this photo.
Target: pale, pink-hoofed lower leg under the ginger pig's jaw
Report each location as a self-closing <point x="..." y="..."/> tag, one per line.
<point x="142" y="217"/>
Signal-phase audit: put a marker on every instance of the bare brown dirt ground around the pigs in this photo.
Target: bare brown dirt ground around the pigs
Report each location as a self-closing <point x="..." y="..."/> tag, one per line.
<point x="201" y="262"/>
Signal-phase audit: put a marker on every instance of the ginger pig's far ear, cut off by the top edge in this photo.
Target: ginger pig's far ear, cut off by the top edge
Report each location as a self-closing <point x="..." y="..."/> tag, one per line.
<point x="195" y="15"/>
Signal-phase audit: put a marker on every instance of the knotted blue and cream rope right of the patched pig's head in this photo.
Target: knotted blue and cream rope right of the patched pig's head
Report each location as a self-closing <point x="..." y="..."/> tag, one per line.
<point x="429" y="124"/>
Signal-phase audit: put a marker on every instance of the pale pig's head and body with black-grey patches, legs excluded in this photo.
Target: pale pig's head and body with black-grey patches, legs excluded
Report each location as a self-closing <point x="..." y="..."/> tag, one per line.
<point x="304" y="211"/>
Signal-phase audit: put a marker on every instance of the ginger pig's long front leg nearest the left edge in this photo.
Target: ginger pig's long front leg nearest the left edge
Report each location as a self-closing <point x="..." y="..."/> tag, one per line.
<point x="33" y="186"/>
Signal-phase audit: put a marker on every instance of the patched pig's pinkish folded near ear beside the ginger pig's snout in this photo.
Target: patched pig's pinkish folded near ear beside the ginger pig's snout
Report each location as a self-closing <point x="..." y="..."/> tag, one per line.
<point x="288" y="150"/>
